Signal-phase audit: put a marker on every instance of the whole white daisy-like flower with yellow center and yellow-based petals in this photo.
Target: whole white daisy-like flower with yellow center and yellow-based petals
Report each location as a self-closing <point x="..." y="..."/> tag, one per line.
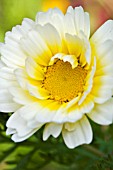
<point x="54" y="75"/>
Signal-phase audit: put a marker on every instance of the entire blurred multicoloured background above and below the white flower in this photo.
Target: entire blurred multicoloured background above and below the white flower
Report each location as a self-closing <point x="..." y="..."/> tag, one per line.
<point x="34" y="154"/>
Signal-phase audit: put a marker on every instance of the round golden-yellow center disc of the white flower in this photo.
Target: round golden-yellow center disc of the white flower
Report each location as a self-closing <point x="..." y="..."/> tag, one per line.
<point x="64" y="83"/>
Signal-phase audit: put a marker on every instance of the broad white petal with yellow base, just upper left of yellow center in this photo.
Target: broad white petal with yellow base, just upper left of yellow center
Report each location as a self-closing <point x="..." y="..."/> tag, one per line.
<point x="35" y="46"/>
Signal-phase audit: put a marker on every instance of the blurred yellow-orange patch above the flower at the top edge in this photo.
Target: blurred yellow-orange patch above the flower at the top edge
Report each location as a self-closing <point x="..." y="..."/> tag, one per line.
<point x="61" y="4"/>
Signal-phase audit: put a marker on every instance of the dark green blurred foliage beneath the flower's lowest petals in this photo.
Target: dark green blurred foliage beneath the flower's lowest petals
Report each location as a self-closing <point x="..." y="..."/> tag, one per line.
<point x="35" y="154"/>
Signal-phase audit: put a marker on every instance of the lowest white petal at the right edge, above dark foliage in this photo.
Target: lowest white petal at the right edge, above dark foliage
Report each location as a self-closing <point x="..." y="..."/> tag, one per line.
<point x="102" y="113"/>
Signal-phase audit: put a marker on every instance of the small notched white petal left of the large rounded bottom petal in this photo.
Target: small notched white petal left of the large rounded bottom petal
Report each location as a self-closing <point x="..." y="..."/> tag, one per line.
<point x="52" y="129"/>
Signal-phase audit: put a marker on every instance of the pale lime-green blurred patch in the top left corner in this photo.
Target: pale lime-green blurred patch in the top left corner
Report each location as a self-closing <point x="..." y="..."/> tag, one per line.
<point x="13" y="11"/>
